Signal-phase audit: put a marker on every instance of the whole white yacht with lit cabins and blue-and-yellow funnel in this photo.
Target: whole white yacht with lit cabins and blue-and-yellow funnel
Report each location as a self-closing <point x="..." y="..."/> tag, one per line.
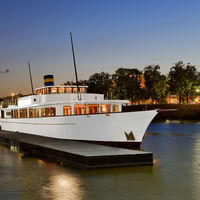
<point x="61" y="112"/>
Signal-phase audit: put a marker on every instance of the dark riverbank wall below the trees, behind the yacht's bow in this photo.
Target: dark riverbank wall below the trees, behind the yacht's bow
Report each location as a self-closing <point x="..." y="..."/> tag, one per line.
<point x="170" y="111"/>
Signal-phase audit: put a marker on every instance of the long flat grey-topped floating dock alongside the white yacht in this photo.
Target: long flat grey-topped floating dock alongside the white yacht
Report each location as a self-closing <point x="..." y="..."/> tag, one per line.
<point x="74" y="153"/>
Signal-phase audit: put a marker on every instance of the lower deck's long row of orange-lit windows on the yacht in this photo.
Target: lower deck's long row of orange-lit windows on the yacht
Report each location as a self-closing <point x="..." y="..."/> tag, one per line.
<point x="58" y="110"/>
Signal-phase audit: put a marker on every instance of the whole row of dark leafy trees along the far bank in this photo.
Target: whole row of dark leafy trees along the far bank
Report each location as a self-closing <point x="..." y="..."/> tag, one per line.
<point x="183" y="80"/>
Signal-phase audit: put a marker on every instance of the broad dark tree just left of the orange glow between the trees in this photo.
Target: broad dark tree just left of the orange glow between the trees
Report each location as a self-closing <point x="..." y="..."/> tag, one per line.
<point x="126" y="84"/>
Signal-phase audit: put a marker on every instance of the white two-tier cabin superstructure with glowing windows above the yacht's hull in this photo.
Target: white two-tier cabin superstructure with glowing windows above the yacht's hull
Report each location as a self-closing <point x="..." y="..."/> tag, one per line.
<point x="51" y="101"/>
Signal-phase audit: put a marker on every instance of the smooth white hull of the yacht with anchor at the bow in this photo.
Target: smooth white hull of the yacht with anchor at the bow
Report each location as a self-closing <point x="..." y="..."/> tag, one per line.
<point x="114" y="129"/>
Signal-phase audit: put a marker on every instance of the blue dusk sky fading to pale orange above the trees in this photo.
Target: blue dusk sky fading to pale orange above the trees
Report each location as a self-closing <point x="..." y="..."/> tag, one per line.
<point x="107" y="34"/>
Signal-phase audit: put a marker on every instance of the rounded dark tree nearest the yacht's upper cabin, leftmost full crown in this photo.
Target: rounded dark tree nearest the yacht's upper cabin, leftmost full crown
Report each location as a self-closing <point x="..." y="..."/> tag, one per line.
<point x="100" y="83"/>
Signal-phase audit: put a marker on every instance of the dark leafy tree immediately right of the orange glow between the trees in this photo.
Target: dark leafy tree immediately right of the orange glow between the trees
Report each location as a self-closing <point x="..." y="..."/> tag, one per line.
<point x="155" y="83"/>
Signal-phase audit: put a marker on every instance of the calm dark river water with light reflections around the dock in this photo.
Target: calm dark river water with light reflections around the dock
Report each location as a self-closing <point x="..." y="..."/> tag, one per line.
<point x="175" y="174"/>
